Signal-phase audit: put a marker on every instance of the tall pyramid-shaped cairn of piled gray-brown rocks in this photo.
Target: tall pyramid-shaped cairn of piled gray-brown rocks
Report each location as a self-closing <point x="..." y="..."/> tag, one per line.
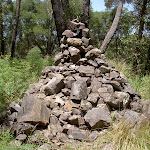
<point x="78" y="96"/>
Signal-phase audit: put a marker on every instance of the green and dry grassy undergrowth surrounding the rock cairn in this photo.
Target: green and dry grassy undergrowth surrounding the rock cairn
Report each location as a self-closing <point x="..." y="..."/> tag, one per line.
<point x="17" y="74"/>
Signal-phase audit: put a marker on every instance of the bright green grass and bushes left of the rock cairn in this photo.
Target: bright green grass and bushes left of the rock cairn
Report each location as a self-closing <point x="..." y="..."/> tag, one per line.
<point x="17" y="74"/>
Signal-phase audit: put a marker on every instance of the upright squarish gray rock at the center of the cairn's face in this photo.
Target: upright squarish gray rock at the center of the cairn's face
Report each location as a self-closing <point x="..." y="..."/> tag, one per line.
<point x="79" y="90"/>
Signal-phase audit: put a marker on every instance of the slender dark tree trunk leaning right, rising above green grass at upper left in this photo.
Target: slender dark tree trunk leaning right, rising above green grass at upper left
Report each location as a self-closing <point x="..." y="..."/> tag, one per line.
<point x="14" y="34"/>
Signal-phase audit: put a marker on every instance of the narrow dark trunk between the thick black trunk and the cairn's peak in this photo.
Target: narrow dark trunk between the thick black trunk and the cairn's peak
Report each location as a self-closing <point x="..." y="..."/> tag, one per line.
<point x="66" y="9"/>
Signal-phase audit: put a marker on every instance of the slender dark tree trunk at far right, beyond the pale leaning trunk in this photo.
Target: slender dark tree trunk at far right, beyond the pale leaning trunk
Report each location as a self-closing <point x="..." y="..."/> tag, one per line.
<point x="140" y="34"/>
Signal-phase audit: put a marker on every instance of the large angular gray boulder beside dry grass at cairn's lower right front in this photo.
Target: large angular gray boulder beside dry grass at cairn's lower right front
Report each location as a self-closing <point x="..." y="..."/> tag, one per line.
<point x="98" y="118"/>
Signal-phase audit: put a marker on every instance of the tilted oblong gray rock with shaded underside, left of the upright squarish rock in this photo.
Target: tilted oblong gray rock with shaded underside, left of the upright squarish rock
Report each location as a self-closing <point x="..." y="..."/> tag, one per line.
<point x="54" y="86"/>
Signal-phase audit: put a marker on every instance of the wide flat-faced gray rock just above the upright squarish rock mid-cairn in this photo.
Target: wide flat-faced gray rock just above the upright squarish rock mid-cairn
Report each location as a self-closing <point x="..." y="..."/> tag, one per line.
<point x="86" y="70"/>
